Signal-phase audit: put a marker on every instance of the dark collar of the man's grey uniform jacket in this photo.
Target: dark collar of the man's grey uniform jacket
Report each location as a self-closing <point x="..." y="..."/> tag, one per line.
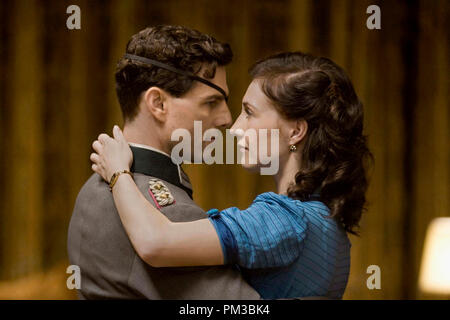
<point x="158" y="164"/>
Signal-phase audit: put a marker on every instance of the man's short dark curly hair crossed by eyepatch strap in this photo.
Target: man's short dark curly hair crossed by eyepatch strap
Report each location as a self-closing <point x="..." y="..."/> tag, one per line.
<point x="177" y="46"/>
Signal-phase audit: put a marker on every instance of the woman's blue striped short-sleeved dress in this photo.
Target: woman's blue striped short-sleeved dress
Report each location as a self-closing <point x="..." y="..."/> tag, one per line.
<point x="285" y="248"/>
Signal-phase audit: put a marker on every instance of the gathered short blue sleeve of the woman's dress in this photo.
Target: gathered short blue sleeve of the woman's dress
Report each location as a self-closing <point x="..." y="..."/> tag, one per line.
<point x="265" y="235"/>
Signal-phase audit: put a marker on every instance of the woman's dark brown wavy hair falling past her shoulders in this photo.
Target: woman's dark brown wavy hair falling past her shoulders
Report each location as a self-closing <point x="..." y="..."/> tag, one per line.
<point x="335" y="156"/>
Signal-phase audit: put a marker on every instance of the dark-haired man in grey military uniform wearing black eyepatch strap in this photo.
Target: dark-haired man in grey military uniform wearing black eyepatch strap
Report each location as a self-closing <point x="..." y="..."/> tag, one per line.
<point x="169" y="77"/>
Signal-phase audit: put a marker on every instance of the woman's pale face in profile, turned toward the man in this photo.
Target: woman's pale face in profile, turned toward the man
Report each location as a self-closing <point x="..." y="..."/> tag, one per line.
<point x="256" y="145"/>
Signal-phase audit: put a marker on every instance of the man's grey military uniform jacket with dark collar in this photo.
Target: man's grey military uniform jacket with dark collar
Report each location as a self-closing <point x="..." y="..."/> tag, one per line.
<point x="110" y="267"/>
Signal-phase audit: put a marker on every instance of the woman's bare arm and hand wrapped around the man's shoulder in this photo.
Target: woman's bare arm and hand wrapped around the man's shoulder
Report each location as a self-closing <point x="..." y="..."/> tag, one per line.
<point x="157" y="240"/>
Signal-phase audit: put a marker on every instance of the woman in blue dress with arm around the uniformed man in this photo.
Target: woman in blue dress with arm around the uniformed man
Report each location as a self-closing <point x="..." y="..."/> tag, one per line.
<point x="292" y="243"/>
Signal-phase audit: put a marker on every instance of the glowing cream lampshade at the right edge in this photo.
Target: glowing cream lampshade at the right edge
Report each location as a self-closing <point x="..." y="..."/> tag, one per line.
<point x="435" y="270"/>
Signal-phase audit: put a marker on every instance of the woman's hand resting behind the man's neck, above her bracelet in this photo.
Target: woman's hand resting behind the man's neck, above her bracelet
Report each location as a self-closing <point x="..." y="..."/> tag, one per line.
<point x="111" y="154"/>
